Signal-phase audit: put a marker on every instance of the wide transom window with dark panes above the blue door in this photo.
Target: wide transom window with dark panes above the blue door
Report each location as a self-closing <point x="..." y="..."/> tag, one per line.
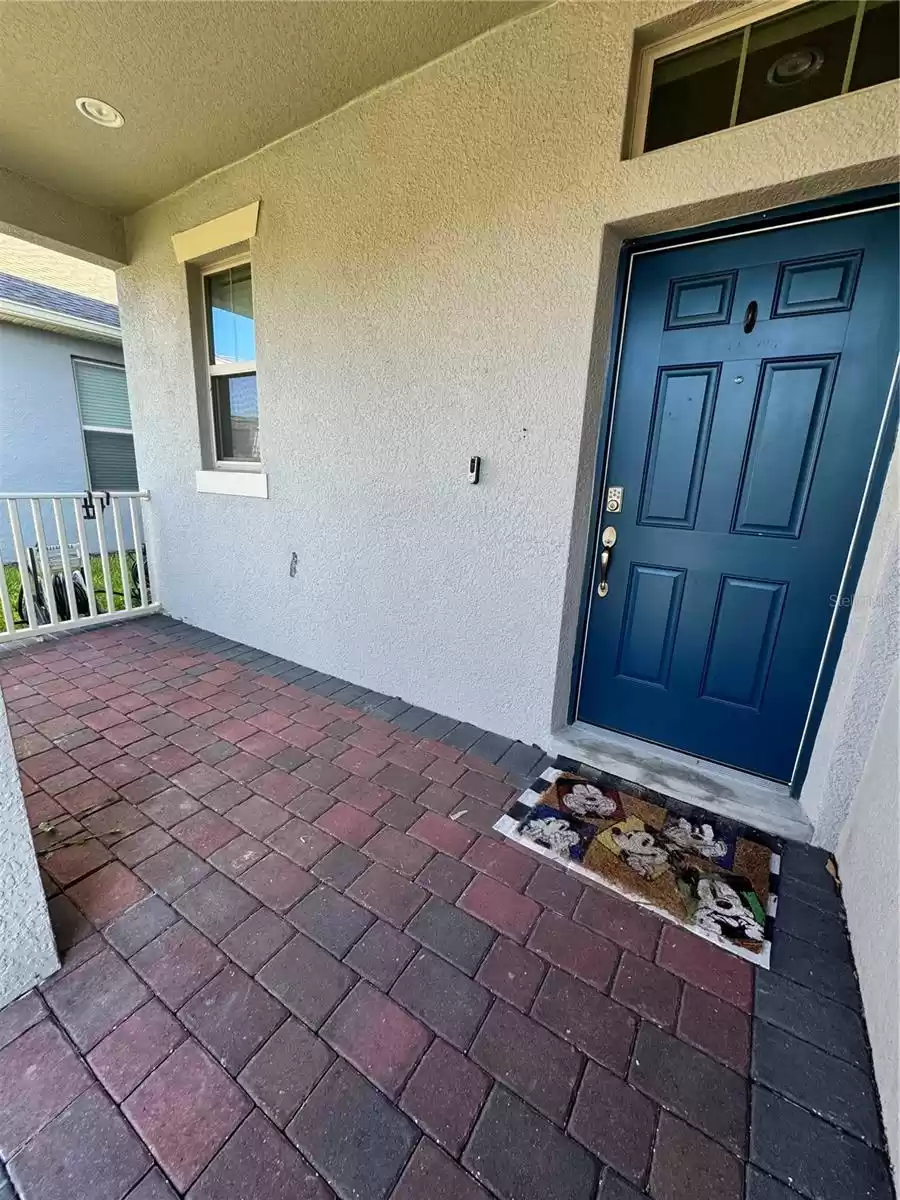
<point x="785" y="57"/>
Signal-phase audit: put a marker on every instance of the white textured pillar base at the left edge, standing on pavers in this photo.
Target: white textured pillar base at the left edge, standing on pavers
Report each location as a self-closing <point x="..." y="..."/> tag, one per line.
<point x="28" y="952"/>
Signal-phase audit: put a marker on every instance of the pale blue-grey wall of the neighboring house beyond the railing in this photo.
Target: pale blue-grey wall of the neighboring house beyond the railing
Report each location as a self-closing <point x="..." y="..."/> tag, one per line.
<point x="41" y="448"/>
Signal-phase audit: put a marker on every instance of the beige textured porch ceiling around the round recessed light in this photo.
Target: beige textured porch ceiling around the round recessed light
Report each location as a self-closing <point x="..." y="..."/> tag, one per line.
<point x="200" y="83"/>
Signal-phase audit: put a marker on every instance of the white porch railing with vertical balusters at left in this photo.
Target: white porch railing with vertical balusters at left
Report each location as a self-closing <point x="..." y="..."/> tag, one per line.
<point x="57" y="569"/>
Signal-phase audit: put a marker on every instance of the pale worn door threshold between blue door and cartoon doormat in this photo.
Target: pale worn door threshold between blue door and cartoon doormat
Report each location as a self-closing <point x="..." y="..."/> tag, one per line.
<point x="734" y="794"/>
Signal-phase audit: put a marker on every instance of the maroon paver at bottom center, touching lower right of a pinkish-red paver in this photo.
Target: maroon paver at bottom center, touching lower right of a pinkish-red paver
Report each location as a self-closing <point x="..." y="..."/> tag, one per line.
<point x="445" y="1095"/>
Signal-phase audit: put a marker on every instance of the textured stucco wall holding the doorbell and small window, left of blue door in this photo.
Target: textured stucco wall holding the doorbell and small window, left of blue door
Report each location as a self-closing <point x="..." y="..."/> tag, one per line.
<point x="427" y="274"/>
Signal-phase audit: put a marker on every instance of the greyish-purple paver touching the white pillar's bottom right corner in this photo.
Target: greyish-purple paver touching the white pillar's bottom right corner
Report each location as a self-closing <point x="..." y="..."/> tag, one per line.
<point x="93" y="999"/>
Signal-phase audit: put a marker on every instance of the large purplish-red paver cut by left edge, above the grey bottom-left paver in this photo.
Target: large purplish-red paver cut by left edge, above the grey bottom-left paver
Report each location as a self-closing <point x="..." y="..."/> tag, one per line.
<point x="40" y="1075"/>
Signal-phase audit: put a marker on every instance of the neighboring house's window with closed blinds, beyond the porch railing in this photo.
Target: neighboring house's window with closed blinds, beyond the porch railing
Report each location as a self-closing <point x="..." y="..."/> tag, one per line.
<point x="106" y="427"/>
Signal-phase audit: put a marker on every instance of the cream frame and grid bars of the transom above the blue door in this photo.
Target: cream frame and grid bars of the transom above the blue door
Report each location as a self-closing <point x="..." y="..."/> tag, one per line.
<point x="743" y="19"/>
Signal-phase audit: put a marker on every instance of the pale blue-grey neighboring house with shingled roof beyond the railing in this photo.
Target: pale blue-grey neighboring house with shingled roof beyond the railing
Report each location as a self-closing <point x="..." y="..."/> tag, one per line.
<point x="65" y="423"/>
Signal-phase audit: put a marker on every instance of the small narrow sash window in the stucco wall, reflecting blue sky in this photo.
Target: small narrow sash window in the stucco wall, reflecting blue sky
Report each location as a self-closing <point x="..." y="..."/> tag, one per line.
<point x="231" y="338"/>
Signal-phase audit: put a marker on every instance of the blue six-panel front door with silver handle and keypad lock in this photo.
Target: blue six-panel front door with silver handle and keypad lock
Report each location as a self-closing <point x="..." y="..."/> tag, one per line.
<point x="752" y="388"/>
